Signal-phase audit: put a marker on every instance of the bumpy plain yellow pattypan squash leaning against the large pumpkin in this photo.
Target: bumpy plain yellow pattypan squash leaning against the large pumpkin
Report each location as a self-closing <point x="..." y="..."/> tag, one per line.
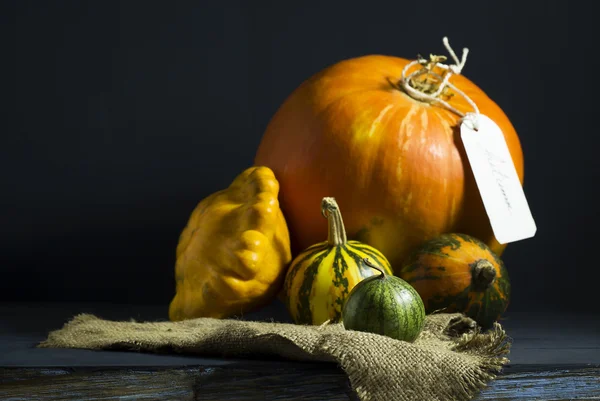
<point x="232" y="255"/>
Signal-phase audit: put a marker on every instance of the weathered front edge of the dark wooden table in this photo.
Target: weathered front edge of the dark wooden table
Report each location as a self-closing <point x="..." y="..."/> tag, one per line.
<point x="268" y="381"/>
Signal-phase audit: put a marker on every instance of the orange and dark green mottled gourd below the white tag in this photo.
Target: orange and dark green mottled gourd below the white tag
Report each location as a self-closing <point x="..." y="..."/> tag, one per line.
<point x="459" y="273"/>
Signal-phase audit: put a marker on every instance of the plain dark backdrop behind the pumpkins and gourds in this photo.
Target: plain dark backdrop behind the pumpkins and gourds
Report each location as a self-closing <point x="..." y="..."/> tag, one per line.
<point x="120" y="116"/>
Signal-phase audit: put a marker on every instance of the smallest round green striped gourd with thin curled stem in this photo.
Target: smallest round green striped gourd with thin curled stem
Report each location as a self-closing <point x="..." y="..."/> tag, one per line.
<point x="386" y="305"/>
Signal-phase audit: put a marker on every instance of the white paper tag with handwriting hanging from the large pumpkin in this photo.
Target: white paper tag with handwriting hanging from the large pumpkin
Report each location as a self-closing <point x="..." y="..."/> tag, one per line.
<point x="497" y="180"/>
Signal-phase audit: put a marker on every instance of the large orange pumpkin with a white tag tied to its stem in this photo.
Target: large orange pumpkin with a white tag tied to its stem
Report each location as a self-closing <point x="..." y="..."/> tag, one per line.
<point x="396" y="165"/>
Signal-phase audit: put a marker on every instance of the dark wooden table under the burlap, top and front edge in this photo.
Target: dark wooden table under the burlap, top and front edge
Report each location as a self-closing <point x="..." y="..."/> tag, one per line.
<point x="554" y="357"/>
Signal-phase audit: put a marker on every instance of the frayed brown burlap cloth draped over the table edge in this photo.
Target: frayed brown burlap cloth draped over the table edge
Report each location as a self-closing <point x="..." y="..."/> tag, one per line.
<point x="451" y="360"/>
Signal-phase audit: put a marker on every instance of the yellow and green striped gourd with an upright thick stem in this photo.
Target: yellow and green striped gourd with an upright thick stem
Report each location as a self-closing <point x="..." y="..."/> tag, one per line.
<point x="320" y="278"/>
